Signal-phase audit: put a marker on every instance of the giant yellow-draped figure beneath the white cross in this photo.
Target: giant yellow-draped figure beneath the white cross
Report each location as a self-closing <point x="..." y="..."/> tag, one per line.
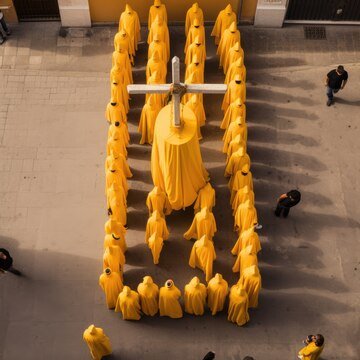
<point x="176" y="162"/>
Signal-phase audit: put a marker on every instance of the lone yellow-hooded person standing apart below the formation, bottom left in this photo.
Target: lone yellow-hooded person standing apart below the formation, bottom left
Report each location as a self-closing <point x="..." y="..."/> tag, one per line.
<point x="97" y="341"/>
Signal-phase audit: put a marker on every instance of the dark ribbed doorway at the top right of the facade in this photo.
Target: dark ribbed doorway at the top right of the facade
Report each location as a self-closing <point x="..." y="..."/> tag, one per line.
<point x="324" y="10"/>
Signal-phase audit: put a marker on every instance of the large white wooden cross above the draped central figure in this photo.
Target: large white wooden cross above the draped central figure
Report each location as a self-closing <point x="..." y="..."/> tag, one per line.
<point x="166" y="88"/>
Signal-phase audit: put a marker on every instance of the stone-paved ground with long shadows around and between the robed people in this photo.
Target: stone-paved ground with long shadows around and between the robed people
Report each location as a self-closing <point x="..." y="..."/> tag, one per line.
<point x="52" y="131"/>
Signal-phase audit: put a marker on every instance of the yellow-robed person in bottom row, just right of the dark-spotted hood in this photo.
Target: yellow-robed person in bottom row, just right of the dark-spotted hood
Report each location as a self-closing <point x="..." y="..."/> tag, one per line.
<point x="195" y="297"/>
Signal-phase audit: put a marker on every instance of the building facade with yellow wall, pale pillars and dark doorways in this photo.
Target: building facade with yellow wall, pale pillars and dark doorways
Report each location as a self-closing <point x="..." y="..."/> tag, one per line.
<point x="263" y="13"/>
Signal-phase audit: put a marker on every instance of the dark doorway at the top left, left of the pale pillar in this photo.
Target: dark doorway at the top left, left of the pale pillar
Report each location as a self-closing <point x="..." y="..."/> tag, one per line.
<point x="37" y="10"/>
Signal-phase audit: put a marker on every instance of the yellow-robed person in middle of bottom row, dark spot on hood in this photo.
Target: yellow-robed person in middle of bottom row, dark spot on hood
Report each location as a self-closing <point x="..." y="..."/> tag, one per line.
<point x="169" y="301"/>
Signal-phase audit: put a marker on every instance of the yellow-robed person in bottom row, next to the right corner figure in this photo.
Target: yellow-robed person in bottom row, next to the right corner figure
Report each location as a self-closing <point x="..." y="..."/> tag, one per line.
<point x="217" y="291"/>
